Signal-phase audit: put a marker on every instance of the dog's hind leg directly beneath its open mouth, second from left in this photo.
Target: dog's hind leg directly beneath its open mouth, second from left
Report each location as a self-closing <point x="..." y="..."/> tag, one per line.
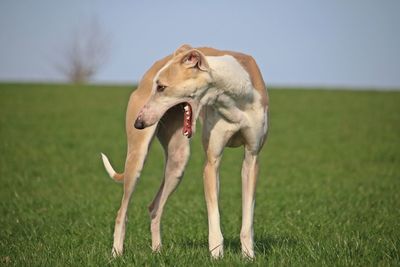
<point x="177" y="150"/>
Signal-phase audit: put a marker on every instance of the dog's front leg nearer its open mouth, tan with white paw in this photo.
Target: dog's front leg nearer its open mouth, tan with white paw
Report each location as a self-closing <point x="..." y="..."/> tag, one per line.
<point x="211" y="190"/>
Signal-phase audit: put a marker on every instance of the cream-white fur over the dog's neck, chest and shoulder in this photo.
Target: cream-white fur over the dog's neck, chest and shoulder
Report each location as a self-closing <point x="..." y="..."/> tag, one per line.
<point x="236" y="100"/>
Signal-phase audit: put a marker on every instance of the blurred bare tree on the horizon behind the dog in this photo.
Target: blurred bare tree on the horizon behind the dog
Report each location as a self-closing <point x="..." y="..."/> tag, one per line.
<point x="85" y="54"/>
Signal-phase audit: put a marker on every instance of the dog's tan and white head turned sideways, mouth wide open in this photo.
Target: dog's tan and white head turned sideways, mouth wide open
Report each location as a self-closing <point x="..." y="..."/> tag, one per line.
<point x="182" y="81"/>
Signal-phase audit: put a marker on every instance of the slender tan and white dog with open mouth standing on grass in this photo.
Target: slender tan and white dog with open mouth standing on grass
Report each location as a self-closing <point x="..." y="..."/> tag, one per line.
<point x="226" y="91"/>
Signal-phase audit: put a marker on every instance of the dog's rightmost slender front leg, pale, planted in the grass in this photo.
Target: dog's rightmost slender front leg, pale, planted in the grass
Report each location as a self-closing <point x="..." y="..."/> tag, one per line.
<point x="249" y="179"/>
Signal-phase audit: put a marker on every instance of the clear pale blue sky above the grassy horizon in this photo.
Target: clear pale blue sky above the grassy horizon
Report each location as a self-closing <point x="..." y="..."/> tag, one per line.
<point x="319" y="43"/>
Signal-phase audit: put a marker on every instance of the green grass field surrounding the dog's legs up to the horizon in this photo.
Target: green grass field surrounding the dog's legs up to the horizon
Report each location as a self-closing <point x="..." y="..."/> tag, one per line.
<point x="328" y="192"/>
